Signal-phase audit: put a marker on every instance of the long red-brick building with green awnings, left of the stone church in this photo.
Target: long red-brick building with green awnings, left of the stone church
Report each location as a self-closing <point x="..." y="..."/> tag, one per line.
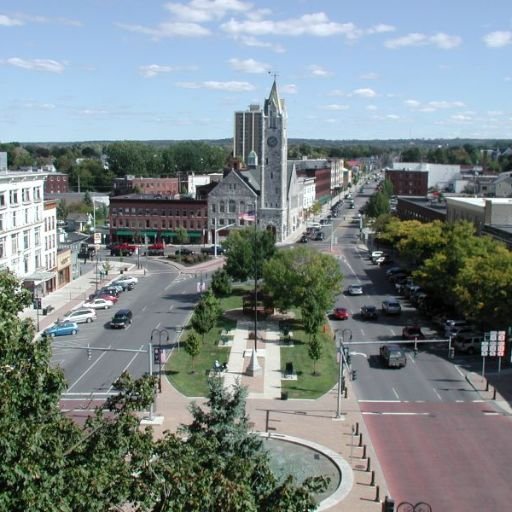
<point x="145" y="218"/>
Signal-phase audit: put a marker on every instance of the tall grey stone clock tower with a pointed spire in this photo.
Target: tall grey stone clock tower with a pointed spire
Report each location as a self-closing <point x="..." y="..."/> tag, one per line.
<point x="274" y="183"/>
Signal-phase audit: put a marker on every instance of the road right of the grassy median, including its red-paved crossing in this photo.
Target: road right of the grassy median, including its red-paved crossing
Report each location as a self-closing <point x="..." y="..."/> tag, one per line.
<point x="435" y="439"/>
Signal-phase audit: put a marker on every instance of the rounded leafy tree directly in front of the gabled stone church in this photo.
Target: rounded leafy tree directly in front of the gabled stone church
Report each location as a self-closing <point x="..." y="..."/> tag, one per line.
<point x="247" y="249"/>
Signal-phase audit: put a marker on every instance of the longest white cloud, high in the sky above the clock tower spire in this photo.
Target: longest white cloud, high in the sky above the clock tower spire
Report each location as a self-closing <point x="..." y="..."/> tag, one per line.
<point x="316" y="24"/>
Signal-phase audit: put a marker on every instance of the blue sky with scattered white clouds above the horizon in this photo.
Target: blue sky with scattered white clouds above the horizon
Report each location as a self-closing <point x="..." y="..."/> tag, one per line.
<point x="82" y="70"/>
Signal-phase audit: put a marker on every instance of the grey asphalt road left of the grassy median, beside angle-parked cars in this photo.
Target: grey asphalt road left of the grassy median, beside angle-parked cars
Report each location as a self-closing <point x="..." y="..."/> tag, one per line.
<point x="163" y="299"/>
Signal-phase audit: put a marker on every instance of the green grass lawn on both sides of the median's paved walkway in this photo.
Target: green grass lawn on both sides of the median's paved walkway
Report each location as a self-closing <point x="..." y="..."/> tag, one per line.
<point x="193" y="381"/>
